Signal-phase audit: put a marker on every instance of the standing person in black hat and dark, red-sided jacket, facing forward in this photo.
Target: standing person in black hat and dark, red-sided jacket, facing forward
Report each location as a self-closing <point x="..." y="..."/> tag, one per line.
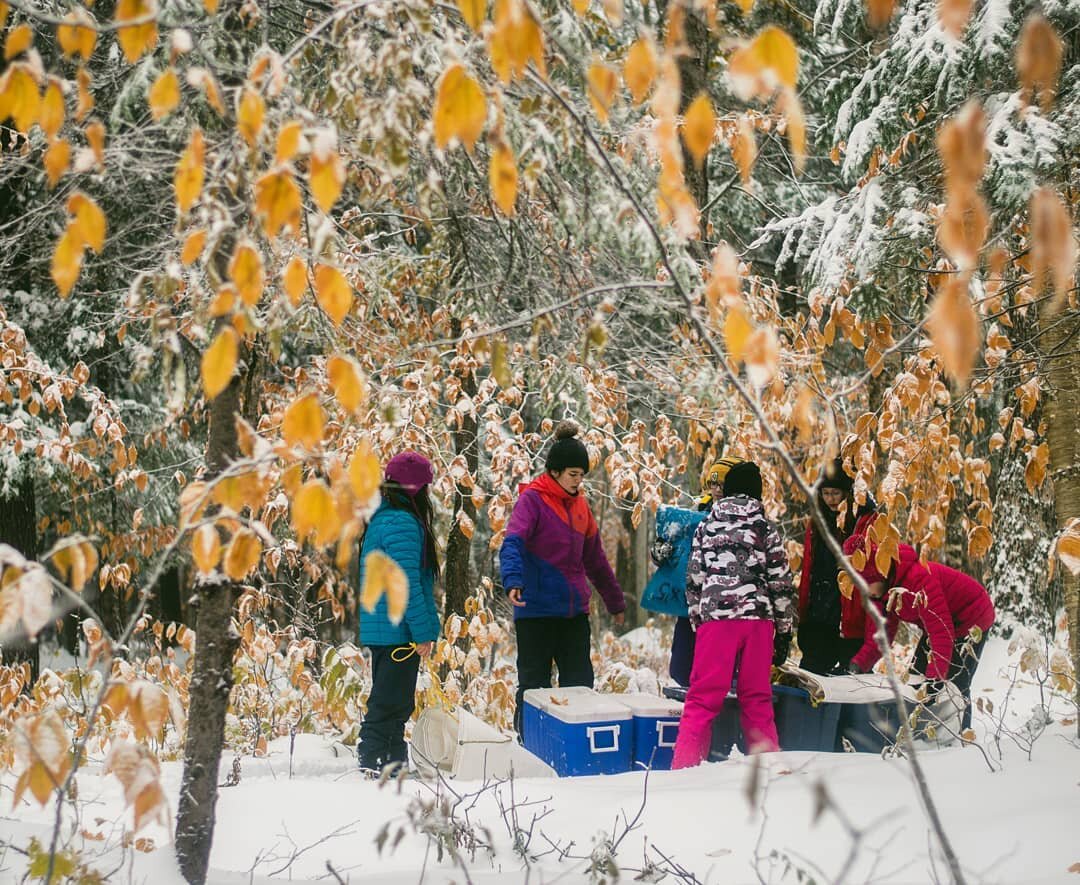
<point x="830" y="633"/>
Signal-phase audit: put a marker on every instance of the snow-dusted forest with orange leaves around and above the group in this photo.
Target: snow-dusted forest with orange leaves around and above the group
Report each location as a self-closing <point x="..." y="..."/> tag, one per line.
<point x="250" y="251"/>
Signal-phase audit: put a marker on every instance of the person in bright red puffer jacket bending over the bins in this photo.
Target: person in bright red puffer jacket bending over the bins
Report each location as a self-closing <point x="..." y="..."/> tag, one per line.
<point x="954" y="611"/>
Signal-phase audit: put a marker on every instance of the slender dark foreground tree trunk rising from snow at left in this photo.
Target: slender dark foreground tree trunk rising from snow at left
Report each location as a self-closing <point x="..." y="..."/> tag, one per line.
<point x="212" y="681"/>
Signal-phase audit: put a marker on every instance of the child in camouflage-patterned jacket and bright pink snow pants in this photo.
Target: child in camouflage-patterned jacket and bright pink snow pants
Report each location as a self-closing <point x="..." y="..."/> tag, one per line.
<point x="742" y="605"/>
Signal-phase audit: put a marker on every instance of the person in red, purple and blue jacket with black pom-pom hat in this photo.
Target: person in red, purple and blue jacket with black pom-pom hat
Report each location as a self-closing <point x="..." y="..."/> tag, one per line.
<point x="552" y="546"/>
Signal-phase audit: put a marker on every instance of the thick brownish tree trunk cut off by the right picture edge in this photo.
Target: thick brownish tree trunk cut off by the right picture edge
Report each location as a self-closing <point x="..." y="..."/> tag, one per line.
<point x="1061" y="366"/>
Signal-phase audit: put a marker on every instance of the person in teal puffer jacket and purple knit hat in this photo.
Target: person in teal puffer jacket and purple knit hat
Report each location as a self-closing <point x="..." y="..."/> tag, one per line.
<point x="401" y="530"/>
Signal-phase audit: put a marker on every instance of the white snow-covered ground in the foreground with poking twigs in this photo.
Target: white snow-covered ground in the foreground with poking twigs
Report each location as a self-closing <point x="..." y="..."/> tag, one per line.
<point x="1015" y="824"/>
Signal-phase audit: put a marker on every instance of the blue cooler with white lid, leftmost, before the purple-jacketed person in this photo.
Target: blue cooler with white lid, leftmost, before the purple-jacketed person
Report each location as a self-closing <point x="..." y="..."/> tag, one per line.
<point x="578" y="731"/>
